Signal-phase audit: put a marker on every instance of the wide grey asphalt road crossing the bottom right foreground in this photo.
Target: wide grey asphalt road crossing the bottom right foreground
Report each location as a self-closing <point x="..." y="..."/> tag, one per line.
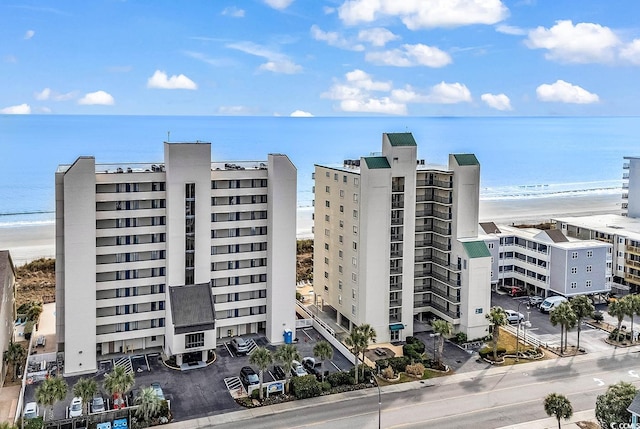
<point x="483" y="400"/>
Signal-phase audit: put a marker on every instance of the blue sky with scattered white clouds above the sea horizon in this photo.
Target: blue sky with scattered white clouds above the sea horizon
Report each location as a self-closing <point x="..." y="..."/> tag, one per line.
<point x="320" y="57"/>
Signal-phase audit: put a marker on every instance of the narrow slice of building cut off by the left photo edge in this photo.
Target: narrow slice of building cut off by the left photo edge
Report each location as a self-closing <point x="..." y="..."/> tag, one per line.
<point x="8" y="306"/>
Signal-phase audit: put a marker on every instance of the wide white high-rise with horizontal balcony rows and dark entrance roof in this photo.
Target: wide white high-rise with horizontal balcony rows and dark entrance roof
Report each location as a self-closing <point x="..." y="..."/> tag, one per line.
<point x="172" y="256"/>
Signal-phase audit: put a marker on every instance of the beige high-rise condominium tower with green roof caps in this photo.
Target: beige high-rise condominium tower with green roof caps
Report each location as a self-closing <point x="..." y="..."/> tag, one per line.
<point x="397" y="239"/>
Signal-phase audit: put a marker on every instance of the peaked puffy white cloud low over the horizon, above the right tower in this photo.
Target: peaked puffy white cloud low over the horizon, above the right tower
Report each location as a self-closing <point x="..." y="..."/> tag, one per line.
<point x="359" y="93"/>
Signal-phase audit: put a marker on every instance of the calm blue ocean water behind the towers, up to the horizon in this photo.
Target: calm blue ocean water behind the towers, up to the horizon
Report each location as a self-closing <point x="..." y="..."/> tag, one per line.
<point x="520" y="157"/>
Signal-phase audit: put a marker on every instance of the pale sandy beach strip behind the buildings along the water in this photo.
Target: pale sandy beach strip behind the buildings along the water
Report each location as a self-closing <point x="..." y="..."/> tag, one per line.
<point x="29" y="242"/>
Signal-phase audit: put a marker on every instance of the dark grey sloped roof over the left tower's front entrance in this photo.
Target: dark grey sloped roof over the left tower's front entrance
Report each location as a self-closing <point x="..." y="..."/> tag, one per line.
<point x="192" y="307"/>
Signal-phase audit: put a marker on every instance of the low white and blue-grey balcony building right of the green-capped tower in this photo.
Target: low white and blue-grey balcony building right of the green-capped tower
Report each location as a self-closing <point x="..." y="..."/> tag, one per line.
<point x="546" y="262"/>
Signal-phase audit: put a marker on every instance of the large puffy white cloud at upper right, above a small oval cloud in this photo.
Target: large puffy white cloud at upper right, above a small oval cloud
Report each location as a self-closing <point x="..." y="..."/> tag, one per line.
<point x="580" y="43"/>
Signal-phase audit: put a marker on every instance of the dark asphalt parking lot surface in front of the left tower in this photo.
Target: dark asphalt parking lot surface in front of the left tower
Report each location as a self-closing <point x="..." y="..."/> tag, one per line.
<point x="198" y="392"/>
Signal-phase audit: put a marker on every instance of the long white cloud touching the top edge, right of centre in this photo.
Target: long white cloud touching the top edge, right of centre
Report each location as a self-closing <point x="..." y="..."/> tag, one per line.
<point x="416" y="14"/>
